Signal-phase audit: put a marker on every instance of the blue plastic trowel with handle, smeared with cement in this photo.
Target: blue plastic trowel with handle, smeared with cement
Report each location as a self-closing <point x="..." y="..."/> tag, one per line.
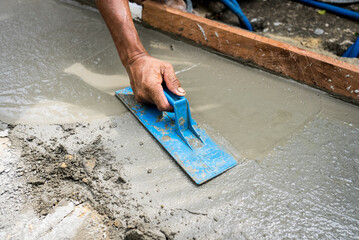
<point x="198" y="155"/>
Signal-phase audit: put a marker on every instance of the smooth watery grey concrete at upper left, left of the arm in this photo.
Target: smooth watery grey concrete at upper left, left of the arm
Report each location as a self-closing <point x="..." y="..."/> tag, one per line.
<point x="42" y="43"/>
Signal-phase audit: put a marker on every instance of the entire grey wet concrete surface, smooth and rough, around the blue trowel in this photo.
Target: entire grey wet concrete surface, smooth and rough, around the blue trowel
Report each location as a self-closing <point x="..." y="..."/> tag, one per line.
<point x="75" y="155"/>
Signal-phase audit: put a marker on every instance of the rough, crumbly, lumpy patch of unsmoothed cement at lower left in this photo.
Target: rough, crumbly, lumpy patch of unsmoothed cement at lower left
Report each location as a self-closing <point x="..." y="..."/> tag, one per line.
<point x="86" y="173"/>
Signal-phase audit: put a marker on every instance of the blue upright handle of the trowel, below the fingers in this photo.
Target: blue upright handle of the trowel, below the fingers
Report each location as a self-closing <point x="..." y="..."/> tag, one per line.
<point x="183" y="120"/>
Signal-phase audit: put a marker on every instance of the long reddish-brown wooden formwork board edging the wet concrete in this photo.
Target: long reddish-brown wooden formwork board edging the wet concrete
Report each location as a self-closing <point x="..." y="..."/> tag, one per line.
<point x="335" y="77"/>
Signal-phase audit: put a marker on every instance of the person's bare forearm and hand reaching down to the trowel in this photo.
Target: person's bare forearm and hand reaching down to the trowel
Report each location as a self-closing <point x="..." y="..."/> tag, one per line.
<point x="145" y="72"/>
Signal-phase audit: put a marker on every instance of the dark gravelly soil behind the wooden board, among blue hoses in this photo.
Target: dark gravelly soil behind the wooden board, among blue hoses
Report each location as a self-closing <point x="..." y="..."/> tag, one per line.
<point x="292" y="22"/>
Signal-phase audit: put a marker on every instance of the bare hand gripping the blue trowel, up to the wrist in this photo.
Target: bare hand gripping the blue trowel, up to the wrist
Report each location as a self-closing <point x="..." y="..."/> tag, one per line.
<point x="146" y="76"/>
